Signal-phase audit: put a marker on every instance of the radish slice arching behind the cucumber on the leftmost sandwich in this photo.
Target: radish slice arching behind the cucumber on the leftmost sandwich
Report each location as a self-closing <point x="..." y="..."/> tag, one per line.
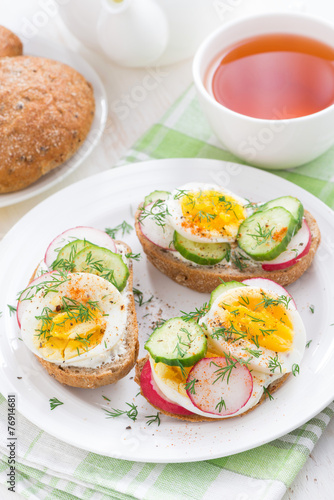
<point x="95" y="236"/>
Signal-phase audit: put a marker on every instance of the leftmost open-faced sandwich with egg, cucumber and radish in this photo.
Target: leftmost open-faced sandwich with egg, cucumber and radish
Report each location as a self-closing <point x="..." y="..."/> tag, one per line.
<point x="77" y="314"/>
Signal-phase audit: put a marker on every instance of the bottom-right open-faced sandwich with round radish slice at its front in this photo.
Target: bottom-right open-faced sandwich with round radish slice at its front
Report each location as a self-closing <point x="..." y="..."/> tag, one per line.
<point x="224" y="359"/>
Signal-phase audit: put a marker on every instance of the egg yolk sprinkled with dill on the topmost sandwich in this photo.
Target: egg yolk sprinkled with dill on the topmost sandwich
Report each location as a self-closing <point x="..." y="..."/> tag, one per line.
<point x="205" y="211"/>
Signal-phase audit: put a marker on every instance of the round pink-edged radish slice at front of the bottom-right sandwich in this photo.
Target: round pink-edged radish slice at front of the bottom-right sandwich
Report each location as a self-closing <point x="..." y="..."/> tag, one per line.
<point x="218" y="394"/>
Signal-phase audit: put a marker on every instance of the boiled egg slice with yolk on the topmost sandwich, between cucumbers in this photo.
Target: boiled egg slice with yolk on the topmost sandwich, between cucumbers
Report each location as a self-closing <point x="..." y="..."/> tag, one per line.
<point x="206" y="212"/>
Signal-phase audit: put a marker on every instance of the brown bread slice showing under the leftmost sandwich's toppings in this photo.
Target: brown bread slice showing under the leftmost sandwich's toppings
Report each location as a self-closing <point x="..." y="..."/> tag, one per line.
<point x="107" y="373"/>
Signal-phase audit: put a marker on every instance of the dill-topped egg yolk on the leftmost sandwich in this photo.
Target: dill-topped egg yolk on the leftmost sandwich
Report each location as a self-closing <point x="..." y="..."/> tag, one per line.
<point x="66" y="334"/>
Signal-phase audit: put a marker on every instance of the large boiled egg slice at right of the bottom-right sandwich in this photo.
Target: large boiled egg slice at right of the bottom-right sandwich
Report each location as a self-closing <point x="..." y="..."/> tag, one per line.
<point x="258" y="327"/>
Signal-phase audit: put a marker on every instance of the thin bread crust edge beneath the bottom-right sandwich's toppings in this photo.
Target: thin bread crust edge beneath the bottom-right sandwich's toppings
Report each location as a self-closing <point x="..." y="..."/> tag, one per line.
<point x="199" y="418"/>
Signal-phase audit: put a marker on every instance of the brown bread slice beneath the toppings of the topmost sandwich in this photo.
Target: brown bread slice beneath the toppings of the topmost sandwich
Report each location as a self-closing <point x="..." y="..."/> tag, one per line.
<point x="207" y="278"/>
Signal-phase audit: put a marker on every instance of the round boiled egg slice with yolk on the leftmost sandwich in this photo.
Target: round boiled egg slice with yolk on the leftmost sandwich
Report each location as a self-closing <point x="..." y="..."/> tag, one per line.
<point x="77" y="323"/>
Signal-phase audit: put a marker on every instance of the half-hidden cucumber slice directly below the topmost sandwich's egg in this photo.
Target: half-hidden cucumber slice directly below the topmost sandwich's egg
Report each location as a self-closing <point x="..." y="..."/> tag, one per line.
<point x="206" y="254"/>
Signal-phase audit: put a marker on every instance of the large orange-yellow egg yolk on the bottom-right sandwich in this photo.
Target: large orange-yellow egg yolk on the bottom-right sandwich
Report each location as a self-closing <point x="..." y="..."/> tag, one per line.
<point x="258" y="317"/>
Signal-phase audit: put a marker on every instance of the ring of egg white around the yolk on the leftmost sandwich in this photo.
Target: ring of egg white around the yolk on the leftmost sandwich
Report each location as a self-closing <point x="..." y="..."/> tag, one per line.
<point x="111" y="302"/>
